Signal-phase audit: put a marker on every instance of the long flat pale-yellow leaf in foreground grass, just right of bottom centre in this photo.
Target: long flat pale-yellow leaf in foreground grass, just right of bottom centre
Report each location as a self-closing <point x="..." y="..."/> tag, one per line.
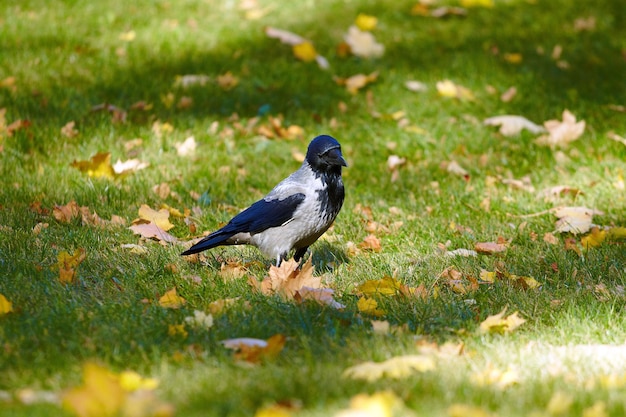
<point x="396" y="367"/>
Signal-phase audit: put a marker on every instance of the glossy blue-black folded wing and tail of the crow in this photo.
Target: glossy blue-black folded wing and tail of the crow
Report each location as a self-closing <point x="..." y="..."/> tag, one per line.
<point x="260" y="216"/>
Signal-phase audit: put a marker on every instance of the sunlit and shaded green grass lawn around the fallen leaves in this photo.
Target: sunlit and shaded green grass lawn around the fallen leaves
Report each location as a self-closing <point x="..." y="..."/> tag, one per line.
<point x="67" y="57"/>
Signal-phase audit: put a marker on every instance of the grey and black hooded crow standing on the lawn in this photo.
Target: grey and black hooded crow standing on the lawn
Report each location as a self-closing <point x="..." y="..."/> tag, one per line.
<point x="295" y="213"/>
